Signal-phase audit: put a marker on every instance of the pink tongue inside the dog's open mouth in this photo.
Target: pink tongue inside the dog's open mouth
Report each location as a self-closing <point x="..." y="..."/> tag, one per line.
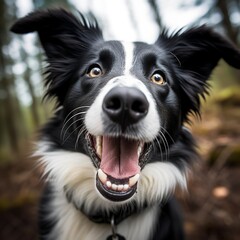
<point x="119" y="157"/>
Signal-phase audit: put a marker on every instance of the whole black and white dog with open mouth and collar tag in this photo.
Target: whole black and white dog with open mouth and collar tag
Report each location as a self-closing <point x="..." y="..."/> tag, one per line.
<point x="117" y="146"/>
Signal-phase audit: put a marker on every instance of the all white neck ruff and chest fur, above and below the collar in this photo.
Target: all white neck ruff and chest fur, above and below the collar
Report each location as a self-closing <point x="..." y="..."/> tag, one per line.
<point x="76" y="172"/>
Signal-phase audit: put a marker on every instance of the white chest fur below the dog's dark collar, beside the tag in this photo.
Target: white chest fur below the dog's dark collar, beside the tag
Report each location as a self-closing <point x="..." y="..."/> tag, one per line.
<point x="73" y="225"/>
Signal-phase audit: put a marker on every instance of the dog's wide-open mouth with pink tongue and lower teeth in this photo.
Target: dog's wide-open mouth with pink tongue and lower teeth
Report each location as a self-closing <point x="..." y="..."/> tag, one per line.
<point x="119" y="161"/>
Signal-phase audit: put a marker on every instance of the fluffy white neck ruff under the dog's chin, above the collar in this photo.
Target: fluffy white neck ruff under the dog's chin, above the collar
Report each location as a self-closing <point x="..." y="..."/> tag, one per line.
<point x="76" y="171"/>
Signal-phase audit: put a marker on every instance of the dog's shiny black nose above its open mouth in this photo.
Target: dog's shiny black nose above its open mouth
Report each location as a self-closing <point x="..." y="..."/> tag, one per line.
<point x="125" y="105"/>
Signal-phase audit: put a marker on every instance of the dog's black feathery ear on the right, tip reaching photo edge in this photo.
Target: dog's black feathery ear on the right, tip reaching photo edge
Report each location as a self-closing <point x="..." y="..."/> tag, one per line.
<point x="196" y="52"/>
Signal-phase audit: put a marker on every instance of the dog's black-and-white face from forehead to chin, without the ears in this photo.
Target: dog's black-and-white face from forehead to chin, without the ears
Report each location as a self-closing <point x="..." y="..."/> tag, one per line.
<point x="130" y="107"/>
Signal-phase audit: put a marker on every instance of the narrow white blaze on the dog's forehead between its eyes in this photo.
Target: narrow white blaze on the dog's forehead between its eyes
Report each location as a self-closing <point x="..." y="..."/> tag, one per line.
<point x="128" y="48"/>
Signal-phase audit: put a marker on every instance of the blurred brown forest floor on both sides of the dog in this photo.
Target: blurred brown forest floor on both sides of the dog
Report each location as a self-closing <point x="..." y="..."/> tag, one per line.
<point x="211" y="207"/>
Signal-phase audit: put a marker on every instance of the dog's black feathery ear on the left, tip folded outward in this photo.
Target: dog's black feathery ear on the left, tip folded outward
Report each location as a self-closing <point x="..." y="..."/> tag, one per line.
<point x="65" y="39"/>
